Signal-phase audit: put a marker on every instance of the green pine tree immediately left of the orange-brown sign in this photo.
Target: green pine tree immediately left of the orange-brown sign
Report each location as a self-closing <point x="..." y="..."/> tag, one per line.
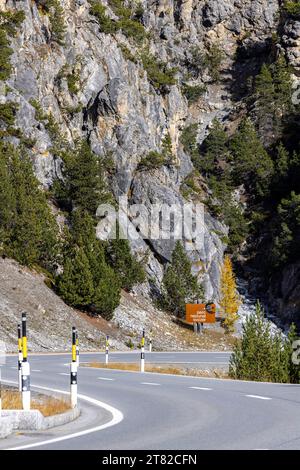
<point x="179" y="284"/>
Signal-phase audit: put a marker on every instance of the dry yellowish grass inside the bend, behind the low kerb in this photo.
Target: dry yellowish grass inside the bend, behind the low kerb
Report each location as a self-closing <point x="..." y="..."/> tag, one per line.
<point x="48" y="406"/>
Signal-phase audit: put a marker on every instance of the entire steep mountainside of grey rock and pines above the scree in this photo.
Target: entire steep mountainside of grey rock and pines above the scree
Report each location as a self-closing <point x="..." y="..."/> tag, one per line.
<point x="164" y="102"/>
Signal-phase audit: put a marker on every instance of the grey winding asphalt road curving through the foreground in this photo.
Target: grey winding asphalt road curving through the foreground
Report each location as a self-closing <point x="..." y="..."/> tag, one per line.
<point x="156" y="411"/>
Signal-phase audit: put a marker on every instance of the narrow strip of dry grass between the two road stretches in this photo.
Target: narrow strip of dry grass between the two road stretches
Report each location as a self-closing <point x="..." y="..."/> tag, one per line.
<point x="135" y="367"/>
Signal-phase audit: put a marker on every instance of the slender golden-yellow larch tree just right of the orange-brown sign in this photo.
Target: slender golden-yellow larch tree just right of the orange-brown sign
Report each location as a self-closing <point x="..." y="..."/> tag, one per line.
<point x="229" y="301"/>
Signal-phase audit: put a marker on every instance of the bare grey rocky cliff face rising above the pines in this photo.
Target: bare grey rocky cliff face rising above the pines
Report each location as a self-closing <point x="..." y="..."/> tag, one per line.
<point x="116" y="106"/>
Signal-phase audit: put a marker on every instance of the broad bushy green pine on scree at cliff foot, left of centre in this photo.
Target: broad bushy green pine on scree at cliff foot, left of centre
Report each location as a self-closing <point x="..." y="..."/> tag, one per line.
<point x="102" y="295"/>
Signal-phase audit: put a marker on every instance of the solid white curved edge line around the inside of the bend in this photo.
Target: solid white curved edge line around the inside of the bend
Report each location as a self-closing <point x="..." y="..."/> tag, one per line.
<point x="116" y="419"/>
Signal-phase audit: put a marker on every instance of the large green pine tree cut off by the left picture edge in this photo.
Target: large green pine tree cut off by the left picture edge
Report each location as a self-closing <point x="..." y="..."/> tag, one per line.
<point x="28" y="229"/>
